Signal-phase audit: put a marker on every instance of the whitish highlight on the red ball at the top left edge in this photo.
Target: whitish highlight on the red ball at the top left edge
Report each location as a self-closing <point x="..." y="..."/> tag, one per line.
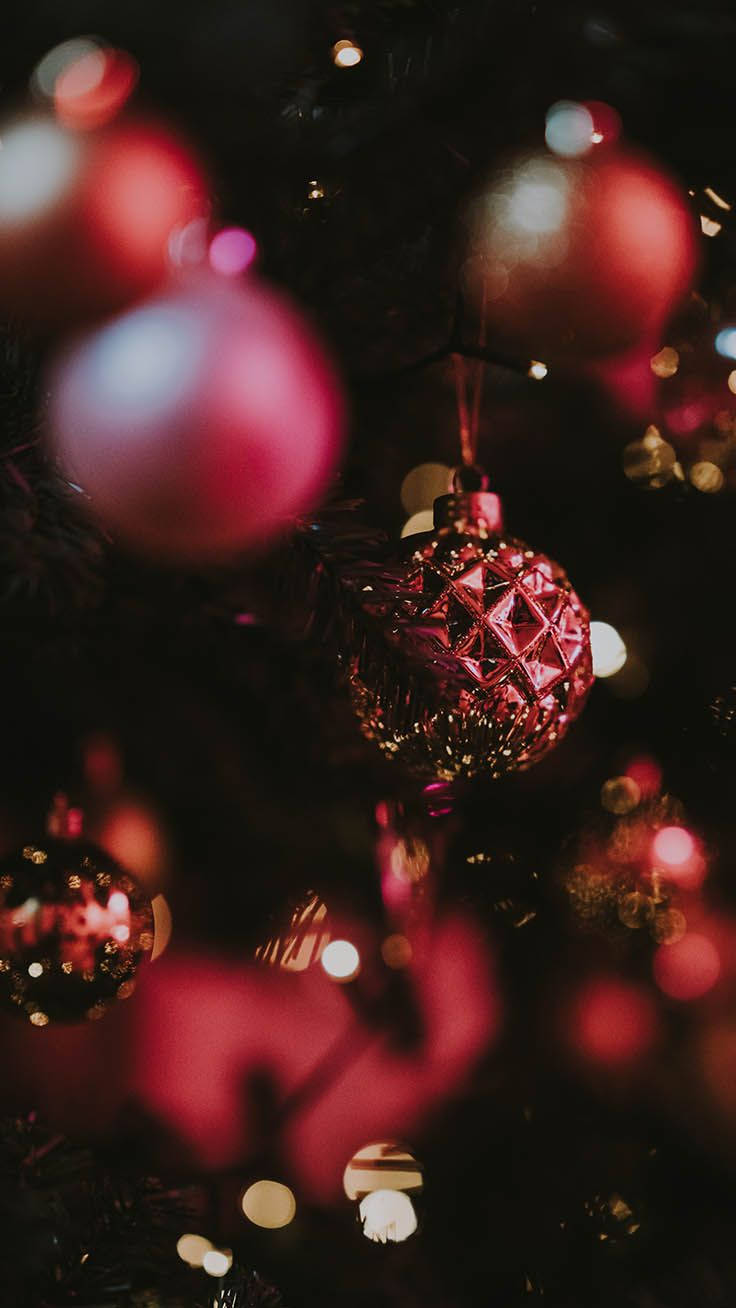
<point x="39" y="165"/>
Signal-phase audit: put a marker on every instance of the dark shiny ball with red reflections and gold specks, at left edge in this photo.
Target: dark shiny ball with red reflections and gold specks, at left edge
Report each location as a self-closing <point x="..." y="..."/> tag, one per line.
<point x="74" y="929"/>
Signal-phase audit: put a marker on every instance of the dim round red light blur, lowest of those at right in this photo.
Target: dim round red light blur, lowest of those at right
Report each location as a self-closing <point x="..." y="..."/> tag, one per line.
<point x="614" y="1022"/>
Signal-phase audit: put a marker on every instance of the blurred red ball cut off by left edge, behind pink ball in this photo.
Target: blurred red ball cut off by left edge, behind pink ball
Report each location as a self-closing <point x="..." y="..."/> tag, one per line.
<point x="87" y="219"/>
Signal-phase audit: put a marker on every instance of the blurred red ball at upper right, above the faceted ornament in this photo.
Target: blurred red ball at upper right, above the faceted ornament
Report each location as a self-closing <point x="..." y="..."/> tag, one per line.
<point x="580" y="258"/>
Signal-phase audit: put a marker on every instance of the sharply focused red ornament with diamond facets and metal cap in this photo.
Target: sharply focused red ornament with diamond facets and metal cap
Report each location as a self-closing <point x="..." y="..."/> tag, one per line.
<point x="473" y="655"/>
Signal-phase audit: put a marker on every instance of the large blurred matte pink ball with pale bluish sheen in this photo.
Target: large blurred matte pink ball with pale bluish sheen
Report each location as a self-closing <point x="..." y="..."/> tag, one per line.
<point x="201" y="422"/>
